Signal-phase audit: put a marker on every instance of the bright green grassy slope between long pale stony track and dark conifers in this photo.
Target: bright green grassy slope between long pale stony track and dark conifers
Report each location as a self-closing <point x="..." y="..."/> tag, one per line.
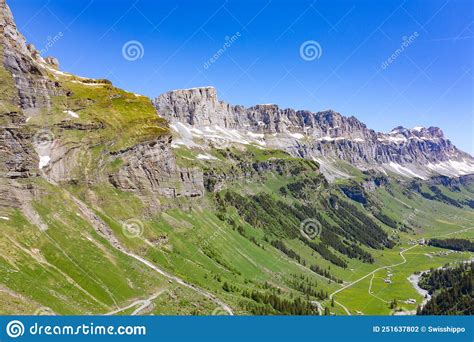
<point x="235" y="259"/>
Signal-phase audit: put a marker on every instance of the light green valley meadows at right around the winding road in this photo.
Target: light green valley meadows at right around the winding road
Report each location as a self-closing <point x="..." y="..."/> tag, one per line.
<point x="430" y="219"/>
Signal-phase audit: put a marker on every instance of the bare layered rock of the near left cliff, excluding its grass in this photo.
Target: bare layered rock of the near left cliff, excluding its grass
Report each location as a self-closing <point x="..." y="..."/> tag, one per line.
<point x="147" y="168"/>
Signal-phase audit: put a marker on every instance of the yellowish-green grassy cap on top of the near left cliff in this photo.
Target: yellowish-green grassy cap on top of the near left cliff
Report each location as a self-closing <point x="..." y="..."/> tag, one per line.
<point x="122" y="119"/>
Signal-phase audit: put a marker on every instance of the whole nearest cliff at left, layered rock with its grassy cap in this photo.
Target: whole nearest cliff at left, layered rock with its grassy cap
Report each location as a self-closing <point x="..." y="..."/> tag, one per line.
<point x="75" y="139"/>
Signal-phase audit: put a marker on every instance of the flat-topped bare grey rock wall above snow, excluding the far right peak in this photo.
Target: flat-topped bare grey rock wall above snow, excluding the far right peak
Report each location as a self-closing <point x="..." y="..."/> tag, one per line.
<point x="200" y="107"/>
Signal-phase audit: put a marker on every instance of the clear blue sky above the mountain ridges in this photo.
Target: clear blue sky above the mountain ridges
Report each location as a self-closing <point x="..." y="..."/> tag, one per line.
<point x="428" y="81"/>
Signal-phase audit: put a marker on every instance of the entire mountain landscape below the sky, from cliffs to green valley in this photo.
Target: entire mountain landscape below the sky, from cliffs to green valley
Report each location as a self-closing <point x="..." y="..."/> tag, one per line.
<point x="112" y="203"/>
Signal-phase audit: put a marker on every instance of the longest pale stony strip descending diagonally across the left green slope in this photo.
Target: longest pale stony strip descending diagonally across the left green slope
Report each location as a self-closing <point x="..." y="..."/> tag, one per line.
<point x="104" y="230"/>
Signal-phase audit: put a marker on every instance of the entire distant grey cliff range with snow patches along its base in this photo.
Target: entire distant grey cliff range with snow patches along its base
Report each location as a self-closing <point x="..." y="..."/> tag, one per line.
<point x="323" y="135"/>
